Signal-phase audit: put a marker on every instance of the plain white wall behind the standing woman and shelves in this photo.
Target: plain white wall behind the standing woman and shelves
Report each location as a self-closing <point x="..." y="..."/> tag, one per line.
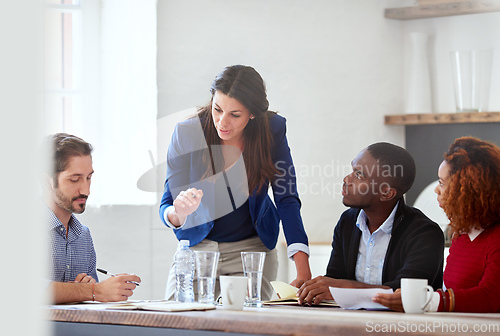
<point x="332" y="68"/>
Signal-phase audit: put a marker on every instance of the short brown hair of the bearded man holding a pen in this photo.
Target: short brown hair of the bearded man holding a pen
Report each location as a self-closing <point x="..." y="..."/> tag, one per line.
<point x="62" y="147"/>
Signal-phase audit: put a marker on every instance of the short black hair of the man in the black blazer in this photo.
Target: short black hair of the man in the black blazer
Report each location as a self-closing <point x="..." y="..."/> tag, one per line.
<point x="397" y="164"/>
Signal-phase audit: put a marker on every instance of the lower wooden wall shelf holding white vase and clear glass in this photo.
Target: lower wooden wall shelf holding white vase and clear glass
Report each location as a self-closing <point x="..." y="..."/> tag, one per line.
<point x="442" y="118"/>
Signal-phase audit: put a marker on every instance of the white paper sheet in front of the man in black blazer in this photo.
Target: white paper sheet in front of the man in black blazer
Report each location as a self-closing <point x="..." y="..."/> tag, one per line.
<point x="358" y="298"/>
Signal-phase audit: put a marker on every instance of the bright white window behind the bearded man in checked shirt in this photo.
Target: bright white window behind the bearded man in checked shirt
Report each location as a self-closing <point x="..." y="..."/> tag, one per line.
<point x="100" y="85"/>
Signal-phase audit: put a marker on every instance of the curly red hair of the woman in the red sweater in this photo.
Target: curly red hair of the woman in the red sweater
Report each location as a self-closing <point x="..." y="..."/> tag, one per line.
<point x="472" y="198"/>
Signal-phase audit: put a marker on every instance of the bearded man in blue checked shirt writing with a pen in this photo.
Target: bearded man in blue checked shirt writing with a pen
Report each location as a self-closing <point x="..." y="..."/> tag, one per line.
<point x="73" y="260"/>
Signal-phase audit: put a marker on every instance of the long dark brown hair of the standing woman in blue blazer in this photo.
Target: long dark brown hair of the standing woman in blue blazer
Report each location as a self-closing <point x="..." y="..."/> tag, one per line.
<point x="244" y="84"/>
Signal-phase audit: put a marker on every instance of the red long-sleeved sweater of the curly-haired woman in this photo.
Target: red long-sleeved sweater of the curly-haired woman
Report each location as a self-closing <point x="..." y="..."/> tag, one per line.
<point x="473" y="272"/>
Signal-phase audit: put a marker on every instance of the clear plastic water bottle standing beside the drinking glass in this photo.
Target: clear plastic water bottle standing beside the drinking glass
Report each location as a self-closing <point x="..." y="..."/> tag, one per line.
<point x="184" y="260"/>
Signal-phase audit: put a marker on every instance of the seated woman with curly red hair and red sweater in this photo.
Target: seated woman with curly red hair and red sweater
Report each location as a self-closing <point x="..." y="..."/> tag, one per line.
<point x="469" y="193"/>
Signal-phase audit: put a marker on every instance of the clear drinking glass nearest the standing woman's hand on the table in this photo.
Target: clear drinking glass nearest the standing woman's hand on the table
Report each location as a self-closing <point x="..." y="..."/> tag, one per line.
<point x="253" y="265"/>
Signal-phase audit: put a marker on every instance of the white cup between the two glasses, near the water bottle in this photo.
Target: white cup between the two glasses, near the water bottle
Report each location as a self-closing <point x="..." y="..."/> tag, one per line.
<point x="233" y="291"/>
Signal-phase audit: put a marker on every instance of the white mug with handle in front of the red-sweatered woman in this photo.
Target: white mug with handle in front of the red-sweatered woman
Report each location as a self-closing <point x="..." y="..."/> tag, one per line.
<point x="415" y="295"/>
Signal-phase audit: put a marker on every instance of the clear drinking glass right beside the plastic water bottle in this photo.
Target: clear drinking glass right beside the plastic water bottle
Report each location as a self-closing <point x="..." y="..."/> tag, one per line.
<point x="206" y="270"/>
